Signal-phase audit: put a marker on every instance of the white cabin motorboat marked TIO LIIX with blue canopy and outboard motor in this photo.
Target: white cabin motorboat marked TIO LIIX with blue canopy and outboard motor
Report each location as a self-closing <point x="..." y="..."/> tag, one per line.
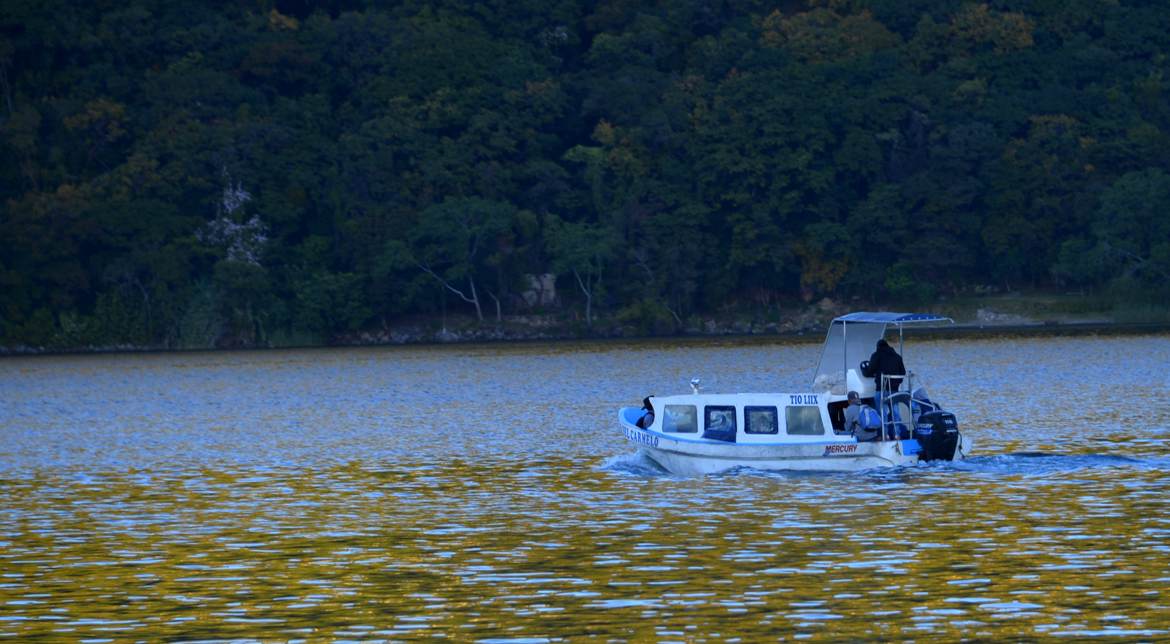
<point x="704" y="434"/>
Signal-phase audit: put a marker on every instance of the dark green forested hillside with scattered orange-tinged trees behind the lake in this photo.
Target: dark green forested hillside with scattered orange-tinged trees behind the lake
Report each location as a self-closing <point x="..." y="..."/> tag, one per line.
<point x="211" y="173"/>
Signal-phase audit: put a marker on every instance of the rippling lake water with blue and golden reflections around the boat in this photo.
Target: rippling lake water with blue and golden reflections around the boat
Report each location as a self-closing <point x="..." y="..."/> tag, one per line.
<point x="485" y="494"/>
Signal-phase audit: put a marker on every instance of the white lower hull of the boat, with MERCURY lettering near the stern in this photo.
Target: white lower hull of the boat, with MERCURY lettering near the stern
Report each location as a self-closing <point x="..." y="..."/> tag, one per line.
<point x="691" y="457"/>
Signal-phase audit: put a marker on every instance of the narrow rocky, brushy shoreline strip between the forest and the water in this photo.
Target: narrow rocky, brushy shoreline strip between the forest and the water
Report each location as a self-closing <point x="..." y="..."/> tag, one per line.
<point x="1041" y="316"/>
